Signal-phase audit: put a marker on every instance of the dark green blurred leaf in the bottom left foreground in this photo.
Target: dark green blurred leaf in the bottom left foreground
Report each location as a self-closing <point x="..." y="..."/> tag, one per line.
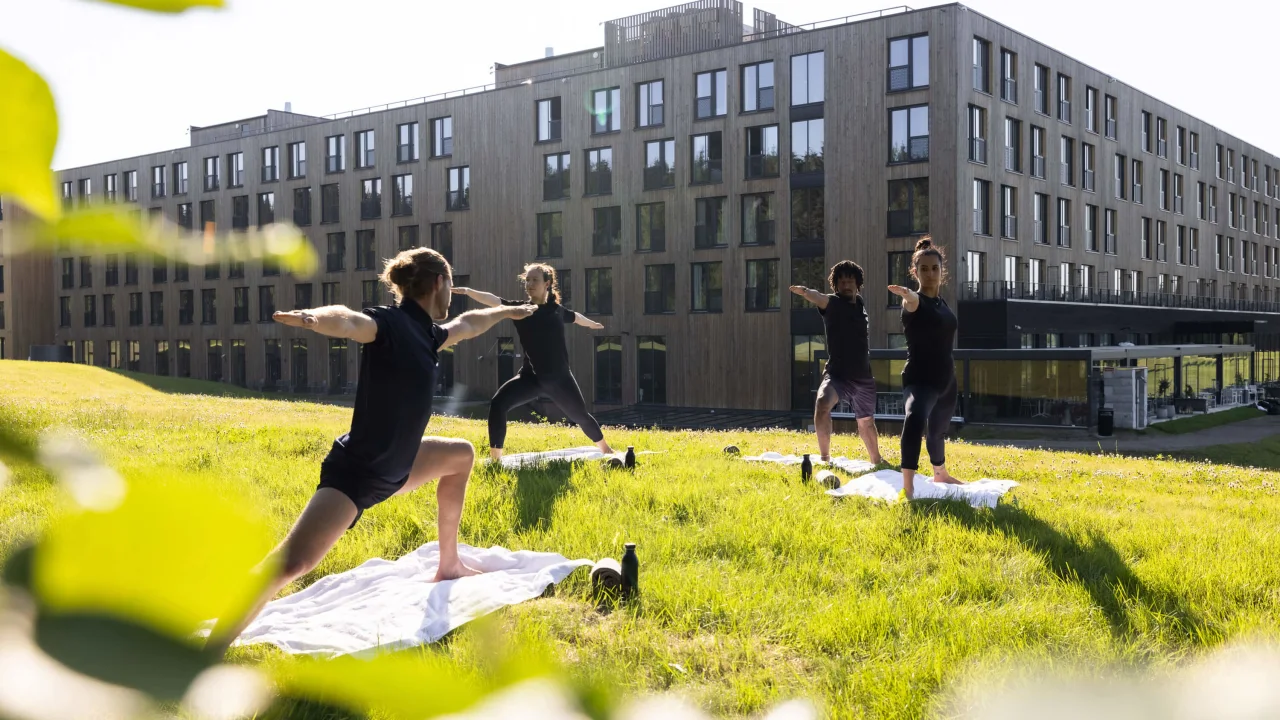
<point x="122" y="653"/>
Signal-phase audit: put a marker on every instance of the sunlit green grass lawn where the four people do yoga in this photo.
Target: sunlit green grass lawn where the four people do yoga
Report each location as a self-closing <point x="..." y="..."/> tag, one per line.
<point x="758" y="587"/>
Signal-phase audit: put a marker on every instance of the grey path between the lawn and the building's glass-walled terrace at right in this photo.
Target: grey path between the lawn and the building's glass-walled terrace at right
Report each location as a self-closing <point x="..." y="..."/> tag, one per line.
<point x="1155" y="441"/>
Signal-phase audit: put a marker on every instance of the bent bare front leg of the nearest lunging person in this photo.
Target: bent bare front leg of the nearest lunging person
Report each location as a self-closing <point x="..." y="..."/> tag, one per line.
<point x="450" y="462"/>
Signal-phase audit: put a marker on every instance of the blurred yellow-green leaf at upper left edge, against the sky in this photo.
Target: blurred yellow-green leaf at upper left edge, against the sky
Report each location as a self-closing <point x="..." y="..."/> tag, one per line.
<point x="29" y="134"/>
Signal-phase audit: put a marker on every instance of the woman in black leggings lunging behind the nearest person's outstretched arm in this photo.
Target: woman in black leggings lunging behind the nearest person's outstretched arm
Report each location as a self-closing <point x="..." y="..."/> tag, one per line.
<point x="546" y="372"/>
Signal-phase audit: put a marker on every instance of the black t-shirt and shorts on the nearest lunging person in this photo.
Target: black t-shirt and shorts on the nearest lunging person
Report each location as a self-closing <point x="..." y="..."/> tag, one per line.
<point x="394" y="399"/>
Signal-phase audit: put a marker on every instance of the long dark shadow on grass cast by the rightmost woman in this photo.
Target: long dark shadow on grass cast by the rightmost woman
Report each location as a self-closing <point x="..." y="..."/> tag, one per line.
<point x="1096" y="566"/>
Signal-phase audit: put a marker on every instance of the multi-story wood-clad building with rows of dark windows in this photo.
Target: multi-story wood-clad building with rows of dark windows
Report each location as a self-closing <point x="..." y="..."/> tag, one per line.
<point x="680" y="177"/>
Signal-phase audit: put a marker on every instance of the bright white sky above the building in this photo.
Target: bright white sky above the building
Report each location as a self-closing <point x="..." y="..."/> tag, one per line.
<point x="130" y="83"/>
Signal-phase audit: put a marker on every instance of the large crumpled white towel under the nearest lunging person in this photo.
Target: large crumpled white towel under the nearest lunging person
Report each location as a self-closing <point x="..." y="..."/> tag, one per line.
<point x="390" y="605"/>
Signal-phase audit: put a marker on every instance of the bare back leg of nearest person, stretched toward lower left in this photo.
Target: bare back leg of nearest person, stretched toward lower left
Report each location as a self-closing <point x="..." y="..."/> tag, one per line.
<point x="326" y="518"/>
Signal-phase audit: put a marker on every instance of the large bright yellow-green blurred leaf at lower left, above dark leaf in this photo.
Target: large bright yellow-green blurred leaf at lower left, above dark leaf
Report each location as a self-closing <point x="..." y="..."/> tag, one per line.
<point x="171" y="557"/>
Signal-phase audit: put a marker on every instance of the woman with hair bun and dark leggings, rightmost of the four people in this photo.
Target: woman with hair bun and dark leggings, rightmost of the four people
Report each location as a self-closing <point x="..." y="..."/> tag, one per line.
<point x="929" y="377"/>
